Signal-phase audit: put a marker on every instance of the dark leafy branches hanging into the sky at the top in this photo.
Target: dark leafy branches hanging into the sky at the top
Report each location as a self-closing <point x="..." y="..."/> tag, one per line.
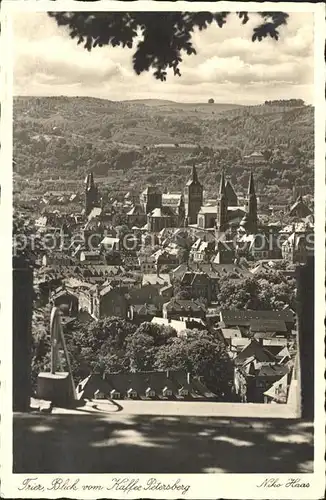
<point x="165" y="36"/>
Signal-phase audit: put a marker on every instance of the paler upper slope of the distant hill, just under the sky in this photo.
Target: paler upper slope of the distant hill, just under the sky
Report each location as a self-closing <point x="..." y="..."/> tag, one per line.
<point x="146" y="122"/>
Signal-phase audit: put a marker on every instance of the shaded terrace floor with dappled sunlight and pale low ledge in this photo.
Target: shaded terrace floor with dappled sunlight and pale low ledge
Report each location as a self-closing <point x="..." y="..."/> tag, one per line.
<point x="161" y="437"/>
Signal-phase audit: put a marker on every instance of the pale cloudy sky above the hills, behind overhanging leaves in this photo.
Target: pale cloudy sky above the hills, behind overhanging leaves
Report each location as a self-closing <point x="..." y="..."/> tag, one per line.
<point x="228" y="66"/>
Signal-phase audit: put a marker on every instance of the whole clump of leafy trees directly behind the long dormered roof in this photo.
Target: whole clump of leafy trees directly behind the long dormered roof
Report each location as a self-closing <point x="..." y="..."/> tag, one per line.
<point x="115" y="345"/>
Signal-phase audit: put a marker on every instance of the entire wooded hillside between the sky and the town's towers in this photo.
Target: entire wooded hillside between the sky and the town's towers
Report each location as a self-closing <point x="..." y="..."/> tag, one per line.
<point x="133" y="143"/>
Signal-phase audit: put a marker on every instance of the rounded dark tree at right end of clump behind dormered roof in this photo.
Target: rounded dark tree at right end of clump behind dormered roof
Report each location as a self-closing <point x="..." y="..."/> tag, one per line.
<point x="202" y="355"/>
